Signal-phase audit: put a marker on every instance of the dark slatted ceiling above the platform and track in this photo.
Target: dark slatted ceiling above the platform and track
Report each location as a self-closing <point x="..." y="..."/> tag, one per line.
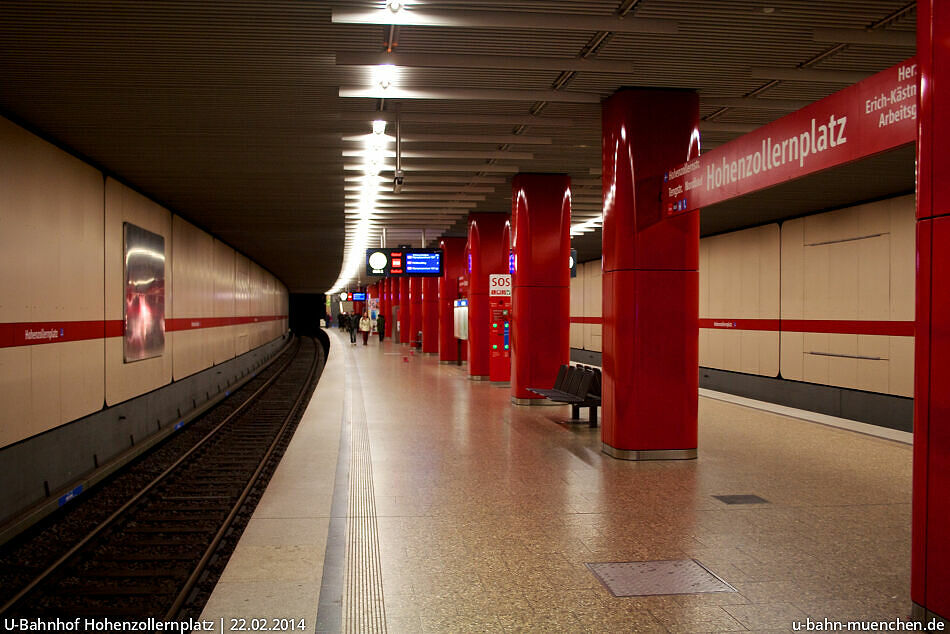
<point x="228" y="112"/>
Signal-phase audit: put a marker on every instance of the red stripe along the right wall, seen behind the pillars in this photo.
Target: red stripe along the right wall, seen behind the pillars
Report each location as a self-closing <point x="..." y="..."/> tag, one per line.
<point x="827" y="326"/>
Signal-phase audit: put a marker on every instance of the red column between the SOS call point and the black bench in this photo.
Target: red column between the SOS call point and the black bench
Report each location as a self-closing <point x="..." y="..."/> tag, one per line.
<point x="541" y="284"/>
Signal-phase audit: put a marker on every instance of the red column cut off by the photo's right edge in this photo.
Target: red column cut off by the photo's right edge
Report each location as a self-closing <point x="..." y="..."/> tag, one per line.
<point x="930" y="559"/>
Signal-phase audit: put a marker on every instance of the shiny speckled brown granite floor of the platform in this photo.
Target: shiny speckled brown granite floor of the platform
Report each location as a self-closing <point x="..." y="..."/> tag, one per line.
<point x="487" y="513"/>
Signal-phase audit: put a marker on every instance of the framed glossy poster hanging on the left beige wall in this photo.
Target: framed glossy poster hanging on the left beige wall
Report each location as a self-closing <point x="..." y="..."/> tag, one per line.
<point x="143" y="311"/>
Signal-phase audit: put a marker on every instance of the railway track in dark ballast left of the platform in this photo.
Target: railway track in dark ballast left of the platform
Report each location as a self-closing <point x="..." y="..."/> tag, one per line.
<point x="150" y="555"/>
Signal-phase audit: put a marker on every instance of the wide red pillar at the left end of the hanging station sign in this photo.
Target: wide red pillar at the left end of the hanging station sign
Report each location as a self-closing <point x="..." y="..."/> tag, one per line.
<point x="650" y="280"/>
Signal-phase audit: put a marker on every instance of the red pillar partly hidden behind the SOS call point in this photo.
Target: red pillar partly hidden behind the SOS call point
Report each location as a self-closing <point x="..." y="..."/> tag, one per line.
<point x="487" y="255"/>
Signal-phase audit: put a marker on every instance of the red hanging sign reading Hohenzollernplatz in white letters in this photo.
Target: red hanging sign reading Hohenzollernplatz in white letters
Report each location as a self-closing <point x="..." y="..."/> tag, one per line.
<point x="872" y="116"/>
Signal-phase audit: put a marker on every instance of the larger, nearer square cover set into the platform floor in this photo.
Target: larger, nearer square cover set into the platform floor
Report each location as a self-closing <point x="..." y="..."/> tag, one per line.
<point x="643" y="578"/>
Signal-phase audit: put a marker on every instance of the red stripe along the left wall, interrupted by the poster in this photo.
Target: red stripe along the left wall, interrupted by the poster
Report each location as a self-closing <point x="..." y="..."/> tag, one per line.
<point x="40" y="332"/>
